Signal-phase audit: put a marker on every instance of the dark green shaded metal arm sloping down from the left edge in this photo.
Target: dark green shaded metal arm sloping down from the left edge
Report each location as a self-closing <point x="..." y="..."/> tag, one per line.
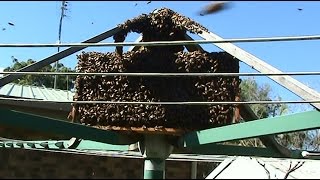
<point x="54" y="126"/>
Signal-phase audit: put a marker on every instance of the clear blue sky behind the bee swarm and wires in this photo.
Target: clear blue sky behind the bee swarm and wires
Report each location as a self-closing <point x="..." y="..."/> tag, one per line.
<point x="38" y="21"/>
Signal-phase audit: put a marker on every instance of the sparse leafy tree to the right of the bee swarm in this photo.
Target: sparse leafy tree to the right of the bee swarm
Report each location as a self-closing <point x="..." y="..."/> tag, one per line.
<point x="251" y="91"/>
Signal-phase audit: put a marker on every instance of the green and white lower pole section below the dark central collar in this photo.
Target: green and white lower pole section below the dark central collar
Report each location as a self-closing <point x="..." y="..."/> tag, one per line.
<point x="154" y="168"/>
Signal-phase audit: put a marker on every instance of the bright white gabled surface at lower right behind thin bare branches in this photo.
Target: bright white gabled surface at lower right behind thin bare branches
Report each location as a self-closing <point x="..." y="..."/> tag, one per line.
<point x="249" y="168"/>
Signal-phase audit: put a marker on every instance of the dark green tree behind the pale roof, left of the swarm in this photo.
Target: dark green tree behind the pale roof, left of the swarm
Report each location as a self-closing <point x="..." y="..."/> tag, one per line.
<point x="63" y="82"/>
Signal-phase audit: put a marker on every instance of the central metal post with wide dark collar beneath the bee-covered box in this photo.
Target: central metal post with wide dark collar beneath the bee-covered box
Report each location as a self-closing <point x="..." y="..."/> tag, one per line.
<point x="155" y="150"/>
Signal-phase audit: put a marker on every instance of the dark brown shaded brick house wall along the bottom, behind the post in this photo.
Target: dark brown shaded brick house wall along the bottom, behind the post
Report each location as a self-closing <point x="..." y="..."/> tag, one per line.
<point x="20" y="163"/>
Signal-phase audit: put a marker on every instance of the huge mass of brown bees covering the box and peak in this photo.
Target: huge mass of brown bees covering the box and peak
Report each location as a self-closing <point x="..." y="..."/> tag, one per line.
<point x="164" y="25"/>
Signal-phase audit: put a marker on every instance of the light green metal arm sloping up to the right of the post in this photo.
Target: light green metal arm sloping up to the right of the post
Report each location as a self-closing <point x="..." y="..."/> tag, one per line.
<point x="262" y="127"/>
